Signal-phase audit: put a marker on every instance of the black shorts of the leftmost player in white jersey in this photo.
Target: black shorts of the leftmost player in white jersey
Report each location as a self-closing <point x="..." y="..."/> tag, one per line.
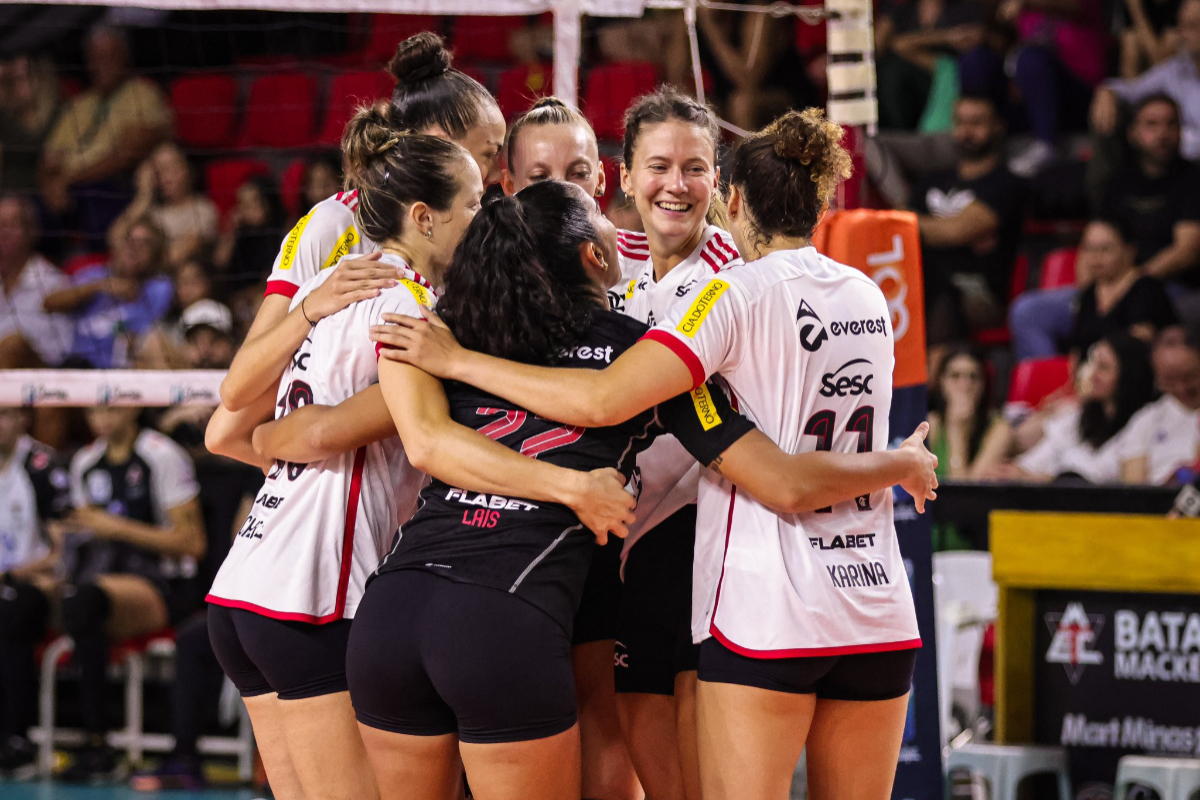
<point x="263" y="655"/>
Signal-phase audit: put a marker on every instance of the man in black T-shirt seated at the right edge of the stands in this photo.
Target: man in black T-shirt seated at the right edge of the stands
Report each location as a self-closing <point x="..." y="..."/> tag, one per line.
<point x="1159" y="195"/>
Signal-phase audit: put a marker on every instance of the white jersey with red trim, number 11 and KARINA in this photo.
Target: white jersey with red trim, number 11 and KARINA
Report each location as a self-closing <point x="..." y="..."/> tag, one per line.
<point x="807" y="347"/>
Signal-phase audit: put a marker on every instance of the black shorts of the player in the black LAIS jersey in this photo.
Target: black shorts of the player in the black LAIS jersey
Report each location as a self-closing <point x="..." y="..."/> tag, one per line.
<point x="431" y="657"/>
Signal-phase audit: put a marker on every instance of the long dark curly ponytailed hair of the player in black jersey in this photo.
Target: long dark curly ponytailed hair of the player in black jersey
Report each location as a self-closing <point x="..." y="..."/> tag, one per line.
<point x="517" y="287"/>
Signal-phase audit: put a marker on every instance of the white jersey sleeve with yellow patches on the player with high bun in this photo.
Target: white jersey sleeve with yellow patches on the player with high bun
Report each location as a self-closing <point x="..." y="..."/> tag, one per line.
<point x="320" y="240"/>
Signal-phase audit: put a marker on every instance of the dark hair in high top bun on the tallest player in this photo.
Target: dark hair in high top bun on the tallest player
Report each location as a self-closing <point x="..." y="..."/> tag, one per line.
<point x="429" y="93"/>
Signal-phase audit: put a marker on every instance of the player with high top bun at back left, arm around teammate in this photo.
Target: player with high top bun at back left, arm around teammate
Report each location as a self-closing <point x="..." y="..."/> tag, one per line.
<point x="430" y="98"/>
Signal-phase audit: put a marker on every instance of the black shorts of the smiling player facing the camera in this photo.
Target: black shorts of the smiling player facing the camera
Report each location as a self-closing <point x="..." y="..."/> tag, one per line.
<point x="655" y="624"/>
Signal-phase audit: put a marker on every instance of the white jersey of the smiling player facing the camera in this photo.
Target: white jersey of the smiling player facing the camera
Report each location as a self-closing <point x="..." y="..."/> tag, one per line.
<point x="670" y="477"/>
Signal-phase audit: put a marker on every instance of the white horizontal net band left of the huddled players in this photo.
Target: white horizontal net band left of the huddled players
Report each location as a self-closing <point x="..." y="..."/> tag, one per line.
<point x="83" y="388"/>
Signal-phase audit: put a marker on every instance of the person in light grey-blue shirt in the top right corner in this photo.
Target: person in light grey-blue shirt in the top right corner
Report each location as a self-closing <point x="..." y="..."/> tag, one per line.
<point x="1178" y="77"/>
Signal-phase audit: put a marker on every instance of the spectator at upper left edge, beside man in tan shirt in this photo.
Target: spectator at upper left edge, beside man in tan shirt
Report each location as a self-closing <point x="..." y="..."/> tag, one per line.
<point x="29" y="105"/>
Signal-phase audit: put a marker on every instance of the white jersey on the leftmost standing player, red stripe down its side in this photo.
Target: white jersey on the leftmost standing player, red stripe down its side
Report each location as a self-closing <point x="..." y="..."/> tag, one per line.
<point x="319" y="531"/>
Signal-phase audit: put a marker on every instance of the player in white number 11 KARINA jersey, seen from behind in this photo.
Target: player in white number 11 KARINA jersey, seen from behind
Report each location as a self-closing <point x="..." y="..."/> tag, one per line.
<point x="807" y="619"/>
